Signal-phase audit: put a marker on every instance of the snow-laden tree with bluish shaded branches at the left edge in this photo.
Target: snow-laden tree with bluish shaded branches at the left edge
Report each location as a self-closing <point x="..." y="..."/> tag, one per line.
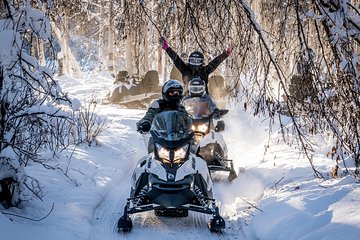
<point x="31" y="102"/>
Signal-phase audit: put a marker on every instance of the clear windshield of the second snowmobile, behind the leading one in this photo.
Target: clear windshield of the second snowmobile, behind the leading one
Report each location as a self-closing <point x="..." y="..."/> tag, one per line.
<point x="199" y="107"/>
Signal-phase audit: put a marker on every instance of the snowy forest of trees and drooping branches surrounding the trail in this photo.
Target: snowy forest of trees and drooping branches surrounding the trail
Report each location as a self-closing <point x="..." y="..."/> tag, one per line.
<point x="298" y="58"/>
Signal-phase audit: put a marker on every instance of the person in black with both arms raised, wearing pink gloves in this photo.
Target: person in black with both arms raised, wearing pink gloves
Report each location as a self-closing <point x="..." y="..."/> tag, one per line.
<point x="195" y="66"/>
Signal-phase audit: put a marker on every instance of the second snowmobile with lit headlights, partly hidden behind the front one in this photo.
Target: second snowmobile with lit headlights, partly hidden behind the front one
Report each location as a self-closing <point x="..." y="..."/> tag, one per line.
<point x="208" y="143"/>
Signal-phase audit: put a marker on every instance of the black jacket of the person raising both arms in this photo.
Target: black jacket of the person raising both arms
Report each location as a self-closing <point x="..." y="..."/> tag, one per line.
<point x="188" y="72"/>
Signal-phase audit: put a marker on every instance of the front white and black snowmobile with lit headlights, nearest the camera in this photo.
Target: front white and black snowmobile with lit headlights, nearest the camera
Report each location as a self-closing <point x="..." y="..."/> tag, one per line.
<point x="171" y="180"/>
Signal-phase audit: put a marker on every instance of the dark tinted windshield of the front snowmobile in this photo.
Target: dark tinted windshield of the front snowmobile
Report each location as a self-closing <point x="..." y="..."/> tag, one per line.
<point x="171" y="128"/>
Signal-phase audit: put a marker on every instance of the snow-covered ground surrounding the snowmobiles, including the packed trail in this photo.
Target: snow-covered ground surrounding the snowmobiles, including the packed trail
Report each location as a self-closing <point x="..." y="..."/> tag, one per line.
<point x="276" y="195"/>
